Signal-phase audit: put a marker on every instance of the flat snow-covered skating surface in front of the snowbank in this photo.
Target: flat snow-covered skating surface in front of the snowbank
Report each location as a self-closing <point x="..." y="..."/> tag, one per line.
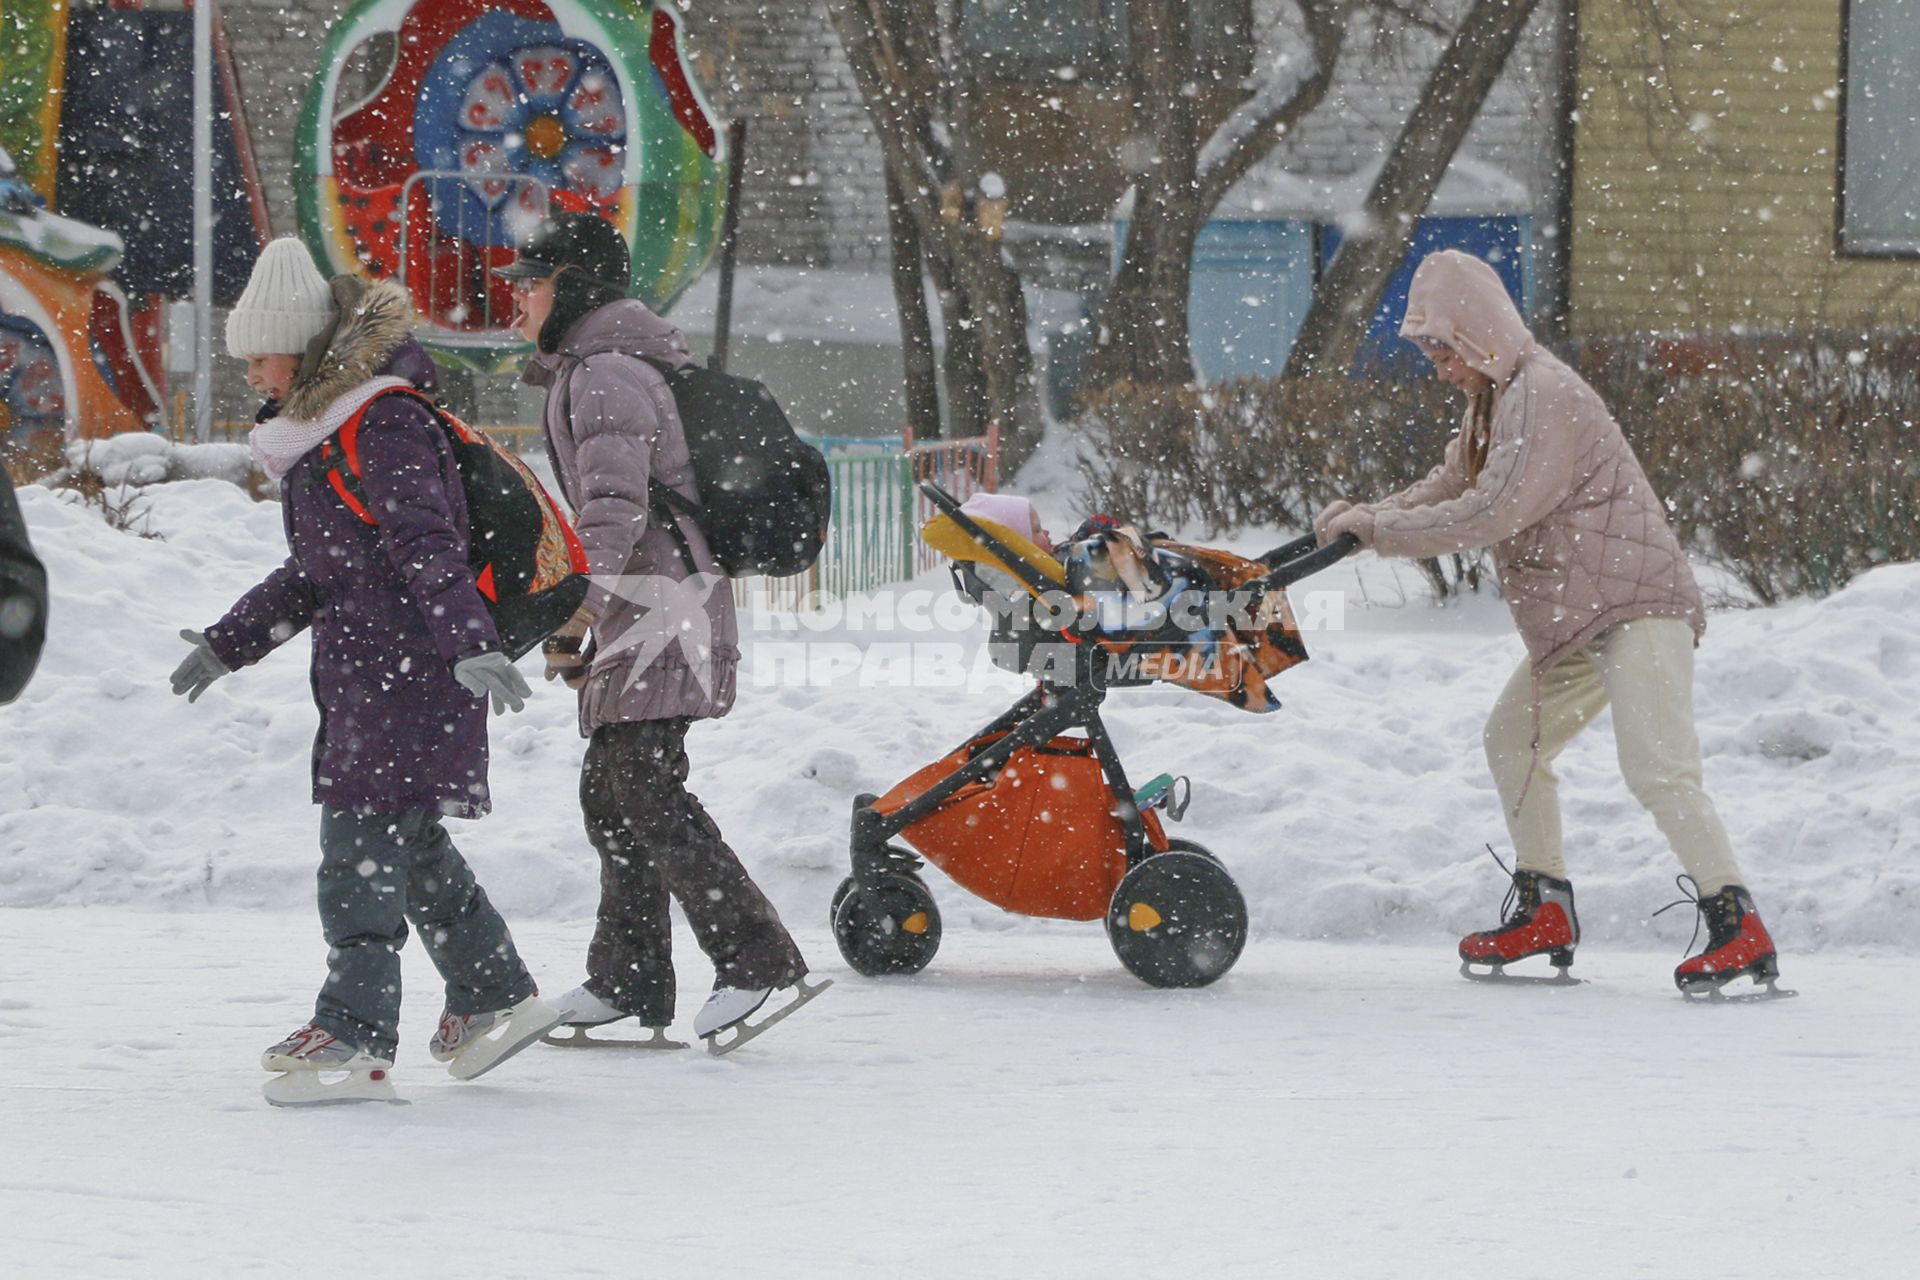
<point x="1019" y="1110"/>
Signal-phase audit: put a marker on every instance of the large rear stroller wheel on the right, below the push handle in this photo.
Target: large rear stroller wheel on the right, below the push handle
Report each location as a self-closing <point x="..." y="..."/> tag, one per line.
<point x="1178" y="920"/>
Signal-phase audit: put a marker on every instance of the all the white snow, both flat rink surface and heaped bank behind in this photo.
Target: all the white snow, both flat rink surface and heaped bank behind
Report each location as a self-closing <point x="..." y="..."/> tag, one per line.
<point x="1341" y="1106"/>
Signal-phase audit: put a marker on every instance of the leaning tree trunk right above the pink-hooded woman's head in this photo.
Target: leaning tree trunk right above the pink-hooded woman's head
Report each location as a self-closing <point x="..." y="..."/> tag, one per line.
<point x="1349" y="295"/>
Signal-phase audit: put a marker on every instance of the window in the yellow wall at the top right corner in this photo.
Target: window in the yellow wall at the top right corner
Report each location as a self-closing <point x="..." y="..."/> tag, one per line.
<point x="1881" y="141"/>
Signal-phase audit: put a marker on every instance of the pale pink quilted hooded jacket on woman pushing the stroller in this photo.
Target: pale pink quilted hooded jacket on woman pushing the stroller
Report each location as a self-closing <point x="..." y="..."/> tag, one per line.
<point x="1579" y="536"/>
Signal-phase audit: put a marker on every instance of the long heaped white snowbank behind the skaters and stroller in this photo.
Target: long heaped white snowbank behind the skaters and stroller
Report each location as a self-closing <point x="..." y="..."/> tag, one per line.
<point x="1356" y="813"/>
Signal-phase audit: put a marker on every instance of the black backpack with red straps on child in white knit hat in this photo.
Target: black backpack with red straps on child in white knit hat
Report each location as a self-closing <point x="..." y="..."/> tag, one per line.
<point x="525" y="556"/>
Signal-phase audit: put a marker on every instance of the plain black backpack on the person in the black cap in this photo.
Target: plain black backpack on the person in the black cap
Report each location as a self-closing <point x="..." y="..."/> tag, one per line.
<point x="767" y="496"/>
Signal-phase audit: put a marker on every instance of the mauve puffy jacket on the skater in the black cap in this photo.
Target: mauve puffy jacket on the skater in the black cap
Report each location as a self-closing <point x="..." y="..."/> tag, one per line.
<point x="665" y="646"/>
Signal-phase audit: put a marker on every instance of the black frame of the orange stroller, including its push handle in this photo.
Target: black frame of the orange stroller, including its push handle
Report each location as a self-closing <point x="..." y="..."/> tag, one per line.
<point x="880" y="865"/>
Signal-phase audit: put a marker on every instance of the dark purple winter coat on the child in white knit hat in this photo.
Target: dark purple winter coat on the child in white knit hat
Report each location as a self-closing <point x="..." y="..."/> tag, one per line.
<point x="393" y="609"/>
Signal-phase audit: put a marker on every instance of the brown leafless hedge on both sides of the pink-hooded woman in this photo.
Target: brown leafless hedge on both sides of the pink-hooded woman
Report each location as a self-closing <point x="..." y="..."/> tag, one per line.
<point x="1790" y="462"/>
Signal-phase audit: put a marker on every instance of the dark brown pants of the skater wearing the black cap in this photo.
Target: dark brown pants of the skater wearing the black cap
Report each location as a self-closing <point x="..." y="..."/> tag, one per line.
<point x="656" y="841"/>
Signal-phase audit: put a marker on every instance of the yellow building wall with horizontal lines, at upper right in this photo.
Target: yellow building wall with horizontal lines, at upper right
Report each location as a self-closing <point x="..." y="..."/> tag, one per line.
<point x="1706" y="176"/>
